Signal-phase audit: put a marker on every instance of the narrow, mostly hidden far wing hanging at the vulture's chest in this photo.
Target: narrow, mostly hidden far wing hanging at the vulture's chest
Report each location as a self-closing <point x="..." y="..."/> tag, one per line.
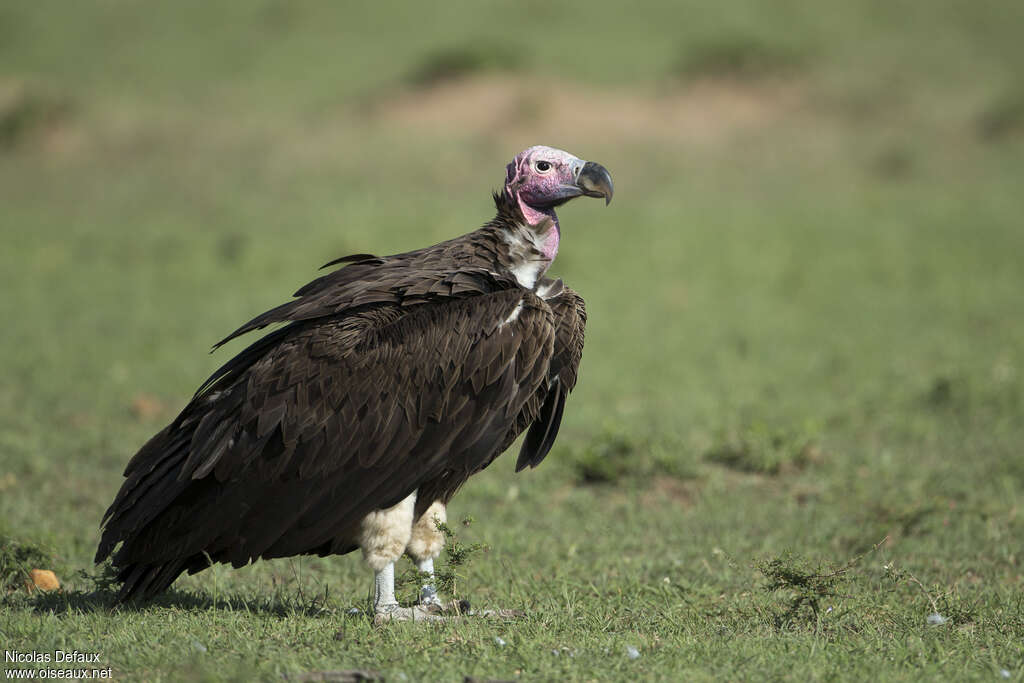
<point x="571" y="321"/>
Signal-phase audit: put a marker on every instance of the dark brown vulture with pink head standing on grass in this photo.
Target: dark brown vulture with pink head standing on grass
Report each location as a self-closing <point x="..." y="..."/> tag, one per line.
<point x="388" y="383"/>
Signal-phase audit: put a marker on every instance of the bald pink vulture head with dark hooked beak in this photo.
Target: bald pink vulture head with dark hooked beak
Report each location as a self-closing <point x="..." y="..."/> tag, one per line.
<point x="541" y="179"/>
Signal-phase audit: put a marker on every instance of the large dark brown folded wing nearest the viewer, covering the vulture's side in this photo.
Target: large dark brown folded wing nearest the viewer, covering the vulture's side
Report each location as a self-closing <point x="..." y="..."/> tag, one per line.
<point x="331" y="419"/>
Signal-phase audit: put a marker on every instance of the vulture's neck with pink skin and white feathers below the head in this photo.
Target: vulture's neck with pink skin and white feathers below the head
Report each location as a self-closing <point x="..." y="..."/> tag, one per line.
<point x="532" y="238"/>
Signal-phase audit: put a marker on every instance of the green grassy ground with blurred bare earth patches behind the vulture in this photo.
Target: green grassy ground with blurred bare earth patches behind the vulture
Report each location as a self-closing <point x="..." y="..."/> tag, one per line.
<point x="797" y="434"/>
